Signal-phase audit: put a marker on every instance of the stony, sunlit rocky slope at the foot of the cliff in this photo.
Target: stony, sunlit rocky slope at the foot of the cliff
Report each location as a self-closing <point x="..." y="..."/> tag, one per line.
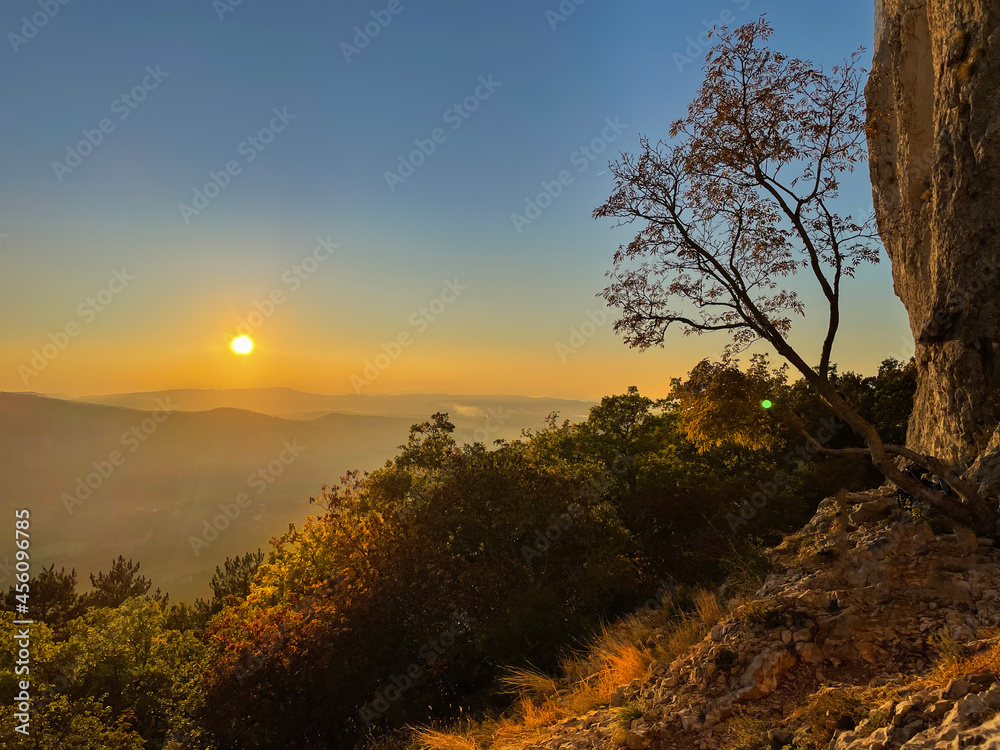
<point x="842" y="648"/>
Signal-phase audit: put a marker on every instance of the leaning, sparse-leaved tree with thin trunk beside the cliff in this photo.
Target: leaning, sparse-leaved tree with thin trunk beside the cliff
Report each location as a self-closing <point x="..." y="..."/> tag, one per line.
<point x="741" y="201"/>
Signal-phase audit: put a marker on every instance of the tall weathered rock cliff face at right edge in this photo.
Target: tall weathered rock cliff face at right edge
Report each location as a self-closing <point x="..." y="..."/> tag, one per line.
<point x="934" y="110"/>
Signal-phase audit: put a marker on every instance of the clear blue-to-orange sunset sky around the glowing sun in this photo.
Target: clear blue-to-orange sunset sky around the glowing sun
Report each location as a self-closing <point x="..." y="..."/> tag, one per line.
<point x="339" y="180"/>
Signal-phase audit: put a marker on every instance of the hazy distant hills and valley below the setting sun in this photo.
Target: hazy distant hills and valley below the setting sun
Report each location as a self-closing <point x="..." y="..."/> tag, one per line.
<point x="141" y="474"/>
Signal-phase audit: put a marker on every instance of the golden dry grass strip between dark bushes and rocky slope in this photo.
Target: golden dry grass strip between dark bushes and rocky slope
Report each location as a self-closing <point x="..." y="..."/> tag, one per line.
<point x="617" y="655"/>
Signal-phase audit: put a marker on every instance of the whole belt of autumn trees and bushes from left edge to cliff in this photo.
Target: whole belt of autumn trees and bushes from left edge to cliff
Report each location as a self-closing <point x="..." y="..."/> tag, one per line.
<point x="414" y="587"/>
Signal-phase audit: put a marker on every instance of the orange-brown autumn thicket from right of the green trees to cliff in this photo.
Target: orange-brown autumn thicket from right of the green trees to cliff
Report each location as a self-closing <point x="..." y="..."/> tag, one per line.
<point x="453" y="560"/>
